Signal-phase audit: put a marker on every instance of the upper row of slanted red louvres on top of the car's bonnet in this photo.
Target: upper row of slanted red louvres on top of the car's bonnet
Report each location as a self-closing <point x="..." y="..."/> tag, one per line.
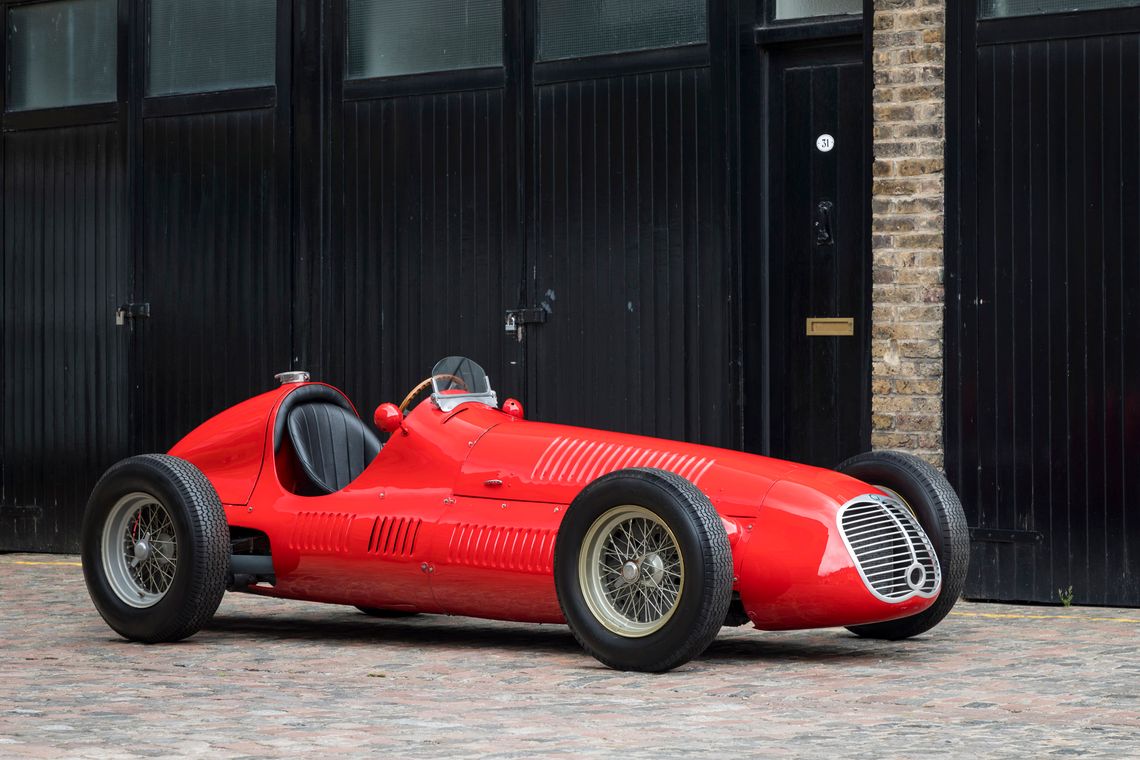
<point x="579" y="461"/>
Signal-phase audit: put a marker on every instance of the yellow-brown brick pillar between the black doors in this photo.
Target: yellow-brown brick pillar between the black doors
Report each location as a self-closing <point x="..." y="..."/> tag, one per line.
<point x="908" y="203"/>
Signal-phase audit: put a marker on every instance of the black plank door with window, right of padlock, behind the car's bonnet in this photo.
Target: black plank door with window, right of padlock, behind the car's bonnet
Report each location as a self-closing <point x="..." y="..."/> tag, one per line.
<point x="631" y="219"/>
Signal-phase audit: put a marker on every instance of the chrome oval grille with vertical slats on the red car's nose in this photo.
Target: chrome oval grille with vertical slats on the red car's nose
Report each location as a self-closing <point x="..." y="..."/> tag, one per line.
<point x="891" y="550"/>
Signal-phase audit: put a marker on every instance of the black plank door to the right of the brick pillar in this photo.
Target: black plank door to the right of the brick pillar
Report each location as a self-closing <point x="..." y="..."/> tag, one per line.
<point x="1043" y="370"/>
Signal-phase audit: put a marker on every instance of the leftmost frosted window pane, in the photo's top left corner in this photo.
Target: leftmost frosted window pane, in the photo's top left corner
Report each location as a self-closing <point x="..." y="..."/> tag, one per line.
<point x="62" y="54"/>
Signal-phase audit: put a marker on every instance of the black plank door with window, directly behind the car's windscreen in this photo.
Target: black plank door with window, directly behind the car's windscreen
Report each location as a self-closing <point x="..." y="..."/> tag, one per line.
<point x="427" y="232"/>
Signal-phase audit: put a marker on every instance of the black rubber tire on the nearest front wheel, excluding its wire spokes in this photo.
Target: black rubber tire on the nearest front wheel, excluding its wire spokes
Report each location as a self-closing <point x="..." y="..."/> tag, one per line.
<point x="699" y="538"/>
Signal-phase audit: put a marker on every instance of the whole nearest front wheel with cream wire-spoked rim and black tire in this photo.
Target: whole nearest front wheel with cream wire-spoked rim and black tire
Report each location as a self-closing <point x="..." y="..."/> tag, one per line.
<point x="644" y="570"/>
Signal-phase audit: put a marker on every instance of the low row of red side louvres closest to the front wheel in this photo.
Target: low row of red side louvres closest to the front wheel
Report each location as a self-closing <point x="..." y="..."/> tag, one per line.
<point x="523" y="550"/>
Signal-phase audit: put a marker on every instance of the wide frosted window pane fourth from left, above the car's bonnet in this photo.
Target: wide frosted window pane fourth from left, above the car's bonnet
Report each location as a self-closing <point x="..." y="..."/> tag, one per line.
<point x="573" y="29"/>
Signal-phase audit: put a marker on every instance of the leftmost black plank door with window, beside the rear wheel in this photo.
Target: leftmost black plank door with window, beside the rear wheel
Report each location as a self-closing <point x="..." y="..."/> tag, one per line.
<point x="66" y="269"/>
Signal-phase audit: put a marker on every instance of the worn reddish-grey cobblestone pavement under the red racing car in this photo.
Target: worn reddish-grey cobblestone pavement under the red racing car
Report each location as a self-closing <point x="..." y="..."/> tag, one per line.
<point x="271" y="677"/>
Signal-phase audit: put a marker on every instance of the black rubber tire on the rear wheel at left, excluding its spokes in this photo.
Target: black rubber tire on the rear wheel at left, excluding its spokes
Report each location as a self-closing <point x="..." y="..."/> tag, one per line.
<point x="201" y="538"/>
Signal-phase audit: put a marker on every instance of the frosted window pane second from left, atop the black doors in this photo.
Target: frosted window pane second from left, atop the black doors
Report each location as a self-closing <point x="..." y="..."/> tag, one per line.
<point x="205" y="46"/>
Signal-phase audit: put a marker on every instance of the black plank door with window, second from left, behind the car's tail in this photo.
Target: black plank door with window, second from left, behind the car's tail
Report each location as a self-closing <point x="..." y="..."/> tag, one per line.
<point x="214" y="255"/>
